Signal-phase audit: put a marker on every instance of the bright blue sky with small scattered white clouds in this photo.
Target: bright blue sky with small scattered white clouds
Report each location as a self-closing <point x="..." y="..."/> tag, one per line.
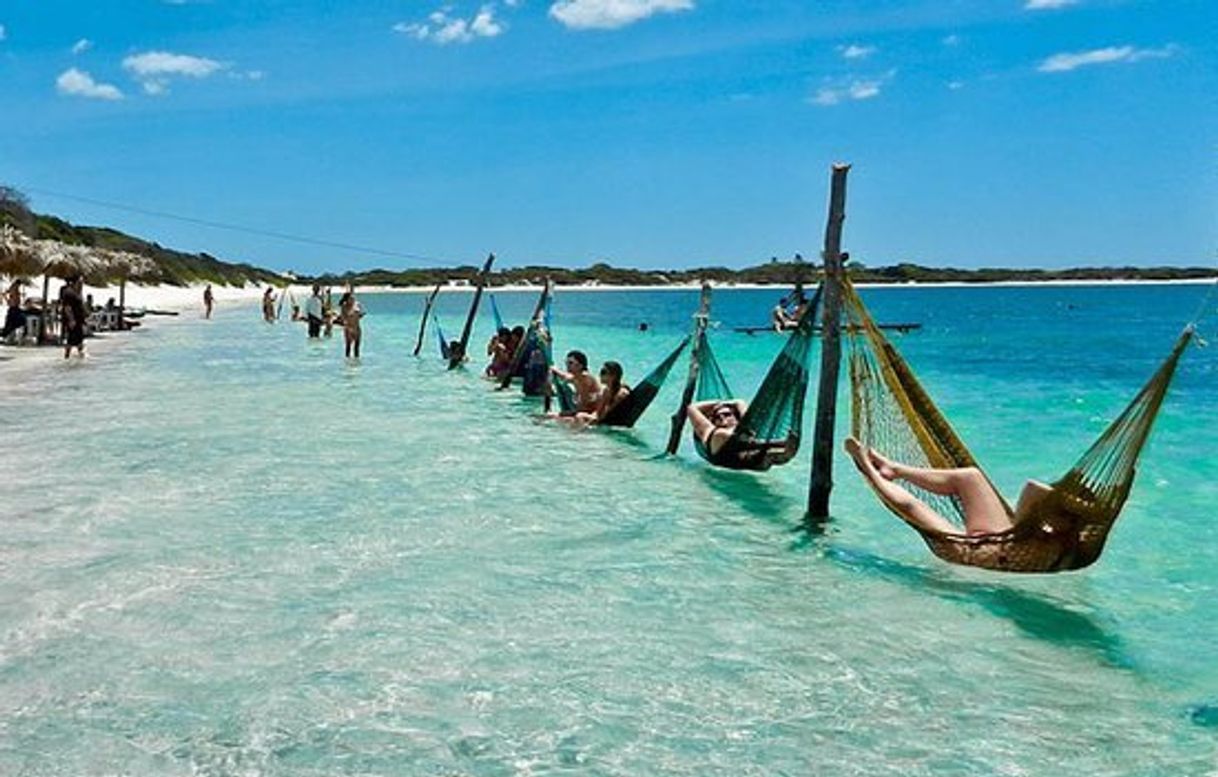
<point x="647" y="133"/>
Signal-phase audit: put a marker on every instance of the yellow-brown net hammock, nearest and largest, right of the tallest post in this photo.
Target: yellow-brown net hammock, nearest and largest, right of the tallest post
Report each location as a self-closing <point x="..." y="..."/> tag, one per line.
<point x="1066" y="529"/>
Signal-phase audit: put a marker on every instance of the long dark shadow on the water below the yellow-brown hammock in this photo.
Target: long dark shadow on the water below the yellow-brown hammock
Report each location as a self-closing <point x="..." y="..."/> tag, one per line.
<point x="1032" y="614"/>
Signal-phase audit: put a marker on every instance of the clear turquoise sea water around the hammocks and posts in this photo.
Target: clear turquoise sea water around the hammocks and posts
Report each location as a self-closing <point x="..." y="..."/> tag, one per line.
<point x="227" y="551"/>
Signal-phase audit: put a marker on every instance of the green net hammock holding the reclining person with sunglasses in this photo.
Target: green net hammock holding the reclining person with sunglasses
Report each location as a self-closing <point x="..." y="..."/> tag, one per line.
<point x="769" y="433"/>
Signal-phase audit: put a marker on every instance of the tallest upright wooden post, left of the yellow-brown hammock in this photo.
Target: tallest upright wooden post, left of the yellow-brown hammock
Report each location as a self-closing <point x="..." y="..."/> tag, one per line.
<point x="831" y="354"/>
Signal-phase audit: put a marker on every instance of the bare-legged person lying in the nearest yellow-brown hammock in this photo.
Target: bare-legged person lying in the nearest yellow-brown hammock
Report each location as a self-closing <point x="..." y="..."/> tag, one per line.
<point x="984" y="510"/>
